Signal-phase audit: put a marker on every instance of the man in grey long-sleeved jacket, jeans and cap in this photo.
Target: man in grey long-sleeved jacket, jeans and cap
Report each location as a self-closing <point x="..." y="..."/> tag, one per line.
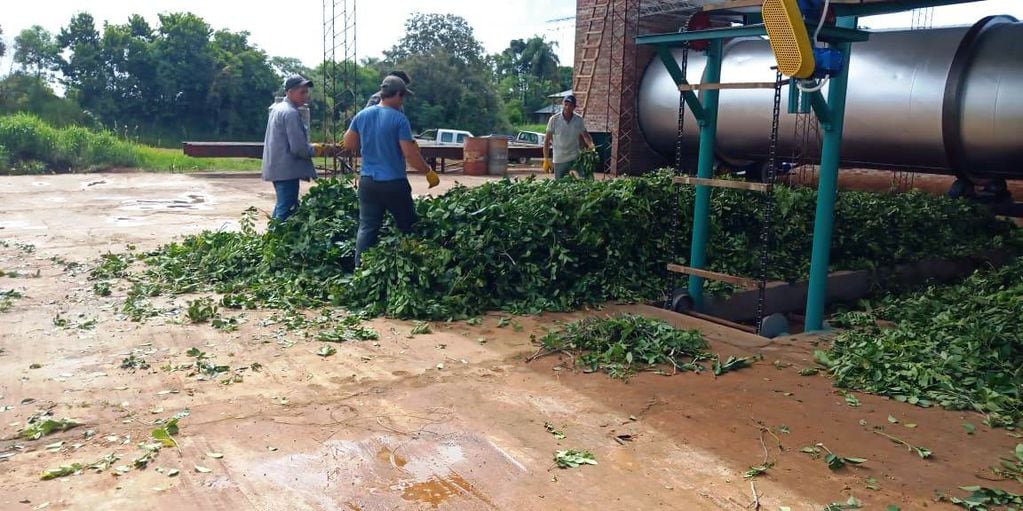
<point x="287" y="152"/>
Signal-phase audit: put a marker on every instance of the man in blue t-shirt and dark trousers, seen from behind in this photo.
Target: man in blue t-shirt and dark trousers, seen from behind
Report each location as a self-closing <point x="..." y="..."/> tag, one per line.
<point x="385" y="141"/>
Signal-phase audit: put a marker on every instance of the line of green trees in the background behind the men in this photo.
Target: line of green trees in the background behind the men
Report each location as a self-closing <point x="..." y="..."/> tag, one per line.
<point x="182" y="79"/>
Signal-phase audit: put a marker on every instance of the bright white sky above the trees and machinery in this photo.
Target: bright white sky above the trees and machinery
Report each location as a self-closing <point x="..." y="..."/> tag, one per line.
<point x="294" y="28"/>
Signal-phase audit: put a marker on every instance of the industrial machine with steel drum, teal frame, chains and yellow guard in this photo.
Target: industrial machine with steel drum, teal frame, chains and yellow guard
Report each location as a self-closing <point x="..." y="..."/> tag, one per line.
<point x="936" y="102"/>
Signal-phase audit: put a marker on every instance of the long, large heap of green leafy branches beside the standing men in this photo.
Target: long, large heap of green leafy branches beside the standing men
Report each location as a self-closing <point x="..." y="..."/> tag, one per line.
<point x="533" y="246"/>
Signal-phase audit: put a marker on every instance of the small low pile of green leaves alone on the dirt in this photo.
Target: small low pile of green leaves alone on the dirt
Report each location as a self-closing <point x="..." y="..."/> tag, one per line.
<point x="625" y="345"/>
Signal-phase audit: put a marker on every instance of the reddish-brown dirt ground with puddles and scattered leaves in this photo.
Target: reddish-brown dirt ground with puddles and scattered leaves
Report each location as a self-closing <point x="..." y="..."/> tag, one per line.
<point x="451" y="421"/>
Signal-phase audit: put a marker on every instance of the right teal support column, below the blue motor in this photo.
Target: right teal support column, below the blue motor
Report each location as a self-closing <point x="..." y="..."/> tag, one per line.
<point x="828" y="190"/>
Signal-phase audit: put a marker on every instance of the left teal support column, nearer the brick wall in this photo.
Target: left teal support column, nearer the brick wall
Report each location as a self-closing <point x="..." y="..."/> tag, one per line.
<point x="705" y="169"/>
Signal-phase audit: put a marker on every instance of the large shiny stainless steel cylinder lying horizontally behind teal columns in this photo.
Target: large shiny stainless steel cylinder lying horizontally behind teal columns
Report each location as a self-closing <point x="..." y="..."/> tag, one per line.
<point x="943" y="101"/>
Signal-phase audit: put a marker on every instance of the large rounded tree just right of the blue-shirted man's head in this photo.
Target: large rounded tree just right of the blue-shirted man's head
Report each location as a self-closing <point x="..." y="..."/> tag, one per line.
<point x="455" y="86"/>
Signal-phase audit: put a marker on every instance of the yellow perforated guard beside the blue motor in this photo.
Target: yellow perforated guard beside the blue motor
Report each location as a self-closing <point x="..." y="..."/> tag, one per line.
<point x="789" y="39"/>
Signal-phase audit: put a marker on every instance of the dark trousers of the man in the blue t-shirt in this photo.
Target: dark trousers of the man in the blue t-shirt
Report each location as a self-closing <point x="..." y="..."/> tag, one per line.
<point x="376" y="198"/>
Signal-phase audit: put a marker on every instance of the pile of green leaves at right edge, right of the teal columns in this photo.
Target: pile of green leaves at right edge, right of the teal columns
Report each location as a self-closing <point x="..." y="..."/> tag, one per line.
<point x="958" y="347"/>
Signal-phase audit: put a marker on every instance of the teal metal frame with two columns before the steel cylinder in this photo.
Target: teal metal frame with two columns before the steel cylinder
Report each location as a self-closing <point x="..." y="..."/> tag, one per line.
<point x="831" y="114"/>
